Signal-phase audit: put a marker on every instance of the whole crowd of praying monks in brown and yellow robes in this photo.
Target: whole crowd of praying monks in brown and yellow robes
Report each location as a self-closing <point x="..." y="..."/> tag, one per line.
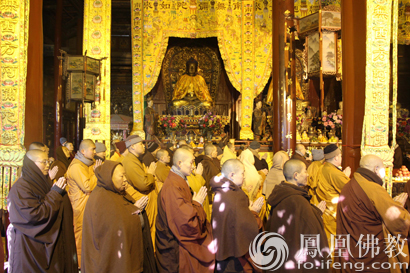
<point x="170" y="208"/>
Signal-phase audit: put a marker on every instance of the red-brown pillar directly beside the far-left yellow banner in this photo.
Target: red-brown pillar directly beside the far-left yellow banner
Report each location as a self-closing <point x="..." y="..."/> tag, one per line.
<point x="34" y="85"/>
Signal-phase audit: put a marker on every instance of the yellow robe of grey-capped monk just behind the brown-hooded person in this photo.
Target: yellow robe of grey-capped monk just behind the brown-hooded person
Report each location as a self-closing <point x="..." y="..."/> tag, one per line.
<point x="141" y="183"/>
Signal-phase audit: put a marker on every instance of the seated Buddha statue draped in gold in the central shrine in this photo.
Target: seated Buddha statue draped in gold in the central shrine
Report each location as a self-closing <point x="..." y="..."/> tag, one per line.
<point x="191" y="88"/>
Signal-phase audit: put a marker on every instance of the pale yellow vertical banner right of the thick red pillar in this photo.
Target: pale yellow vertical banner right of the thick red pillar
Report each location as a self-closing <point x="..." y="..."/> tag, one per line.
<point x="376" y="119"/>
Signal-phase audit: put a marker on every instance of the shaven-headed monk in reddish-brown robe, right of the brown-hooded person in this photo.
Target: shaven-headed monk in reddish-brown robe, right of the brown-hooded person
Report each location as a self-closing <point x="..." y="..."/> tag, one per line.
<point x="184" y="236"/>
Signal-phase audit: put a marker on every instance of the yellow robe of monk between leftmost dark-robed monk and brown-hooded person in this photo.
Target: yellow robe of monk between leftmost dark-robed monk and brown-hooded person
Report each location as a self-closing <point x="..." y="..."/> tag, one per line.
<point x="81" y="181"/>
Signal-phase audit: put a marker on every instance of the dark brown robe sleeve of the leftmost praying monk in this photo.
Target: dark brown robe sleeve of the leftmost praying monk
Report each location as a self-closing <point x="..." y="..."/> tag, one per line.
<point x="34" y="216"/>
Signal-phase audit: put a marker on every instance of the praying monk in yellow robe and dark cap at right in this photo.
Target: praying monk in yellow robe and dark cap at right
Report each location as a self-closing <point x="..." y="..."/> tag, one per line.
<point x="330" y="183"/>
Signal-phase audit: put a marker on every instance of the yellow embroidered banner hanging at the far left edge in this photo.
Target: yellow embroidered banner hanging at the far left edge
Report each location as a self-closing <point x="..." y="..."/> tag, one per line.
<point x="14" y="21"/>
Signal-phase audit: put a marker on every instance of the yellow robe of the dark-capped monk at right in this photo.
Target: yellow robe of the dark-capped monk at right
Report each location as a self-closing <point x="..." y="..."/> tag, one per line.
<point x="331" y="181"/>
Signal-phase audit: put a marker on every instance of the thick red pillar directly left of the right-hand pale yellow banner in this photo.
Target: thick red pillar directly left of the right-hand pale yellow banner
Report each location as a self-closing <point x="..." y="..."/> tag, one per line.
<point x="354" y="85"/>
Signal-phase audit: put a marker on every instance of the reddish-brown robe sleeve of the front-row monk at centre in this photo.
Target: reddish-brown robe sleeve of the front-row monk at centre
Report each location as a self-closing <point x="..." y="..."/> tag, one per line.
<point x="186" y="219"/>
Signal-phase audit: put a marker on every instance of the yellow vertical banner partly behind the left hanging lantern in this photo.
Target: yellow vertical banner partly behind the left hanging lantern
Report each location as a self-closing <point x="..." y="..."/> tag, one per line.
<point x="97" y="44"/>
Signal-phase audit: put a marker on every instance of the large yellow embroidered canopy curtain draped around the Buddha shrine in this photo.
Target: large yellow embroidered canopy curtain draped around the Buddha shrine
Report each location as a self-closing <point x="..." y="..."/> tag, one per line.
<point x="243" y="29"/>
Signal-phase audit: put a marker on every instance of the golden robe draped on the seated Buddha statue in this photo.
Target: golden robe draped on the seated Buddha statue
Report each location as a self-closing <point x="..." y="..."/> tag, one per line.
<point x="192" y="85"/>
